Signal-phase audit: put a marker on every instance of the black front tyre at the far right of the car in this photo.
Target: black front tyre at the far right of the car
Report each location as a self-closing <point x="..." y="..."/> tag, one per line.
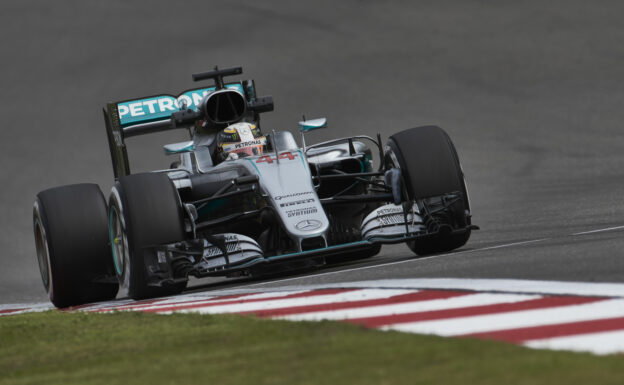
<point x="430" y="168"/>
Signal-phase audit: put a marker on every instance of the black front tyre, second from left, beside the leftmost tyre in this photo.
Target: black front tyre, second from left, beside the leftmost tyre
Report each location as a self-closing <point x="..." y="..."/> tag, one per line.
<point x="144" y="210"/>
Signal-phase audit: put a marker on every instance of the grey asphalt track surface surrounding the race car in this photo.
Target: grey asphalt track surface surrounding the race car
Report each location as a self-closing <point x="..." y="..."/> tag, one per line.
<point x="530" y="92"/>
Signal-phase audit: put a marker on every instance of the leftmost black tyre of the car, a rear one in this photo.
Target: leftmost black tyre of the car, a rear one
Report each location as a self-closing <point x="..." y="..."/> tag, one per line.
<point x="71" y="239"/>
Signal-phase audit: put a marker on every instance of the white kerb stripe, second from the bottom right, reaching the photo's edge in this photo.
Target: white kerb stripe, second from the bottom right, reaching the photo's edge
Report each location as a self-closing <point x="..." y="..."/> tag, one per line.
<point x="515" y="319"/>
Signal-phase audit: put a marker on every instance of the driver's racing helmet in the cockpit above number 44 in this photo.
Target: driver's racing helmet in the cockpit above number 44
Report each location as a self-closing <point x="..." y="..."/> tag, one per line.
<point x="239" y="140"/>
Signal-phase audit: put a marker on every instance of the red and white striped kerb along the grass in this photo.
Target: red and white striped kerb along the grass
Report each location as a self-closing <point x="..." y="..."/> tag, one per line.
<point x="574" y="316"/>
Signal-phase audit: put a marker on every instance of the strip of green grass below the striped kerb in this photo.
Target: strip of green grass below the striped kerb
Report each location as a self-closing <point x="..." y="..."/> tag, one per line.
<point x="136" y="348"/>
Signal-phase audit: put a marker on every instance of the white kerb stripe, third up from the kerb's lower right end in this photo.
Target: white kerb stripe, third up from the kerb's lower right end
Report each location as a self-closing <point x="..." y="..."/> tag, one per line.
<point x="480" y="299"/>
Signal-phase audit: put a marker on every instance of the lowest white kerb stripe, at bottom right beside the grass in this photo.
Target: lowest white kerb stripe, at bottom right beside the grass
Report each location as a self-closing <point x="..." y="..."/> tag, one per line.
<point x="598" y="343"/>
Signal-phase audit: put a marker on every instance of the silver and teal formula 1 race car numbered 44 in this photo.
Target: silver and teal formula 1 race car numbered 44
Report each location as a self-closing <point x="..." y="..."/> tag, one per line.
<point x="237" y="202"/>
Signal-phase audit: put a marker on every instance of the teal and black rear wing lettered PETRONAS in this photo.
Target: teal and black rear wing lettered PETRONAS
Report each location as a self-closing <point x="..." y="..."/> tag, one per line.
<point x="150" y="114"/>
